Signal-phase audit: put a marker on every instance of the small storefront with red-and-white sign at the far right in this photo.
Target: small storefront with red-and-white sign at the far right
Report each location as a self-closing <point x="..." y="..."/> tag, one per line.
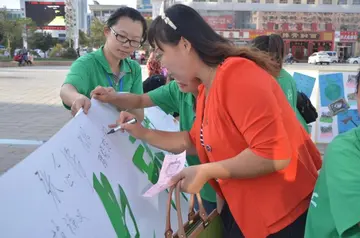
<point x="345" y="44"/>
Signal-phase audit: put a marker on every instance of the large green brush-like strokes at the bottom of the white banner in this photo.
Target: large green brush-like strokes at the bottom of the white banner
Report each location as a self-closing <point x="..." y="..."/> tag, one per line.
<point x="115" y="210"/>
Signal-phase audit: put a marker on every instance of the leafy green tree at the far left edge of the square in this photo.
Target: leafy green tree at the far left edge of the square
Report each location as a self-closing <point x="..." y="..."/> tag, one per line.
<point x="12" y="30"/>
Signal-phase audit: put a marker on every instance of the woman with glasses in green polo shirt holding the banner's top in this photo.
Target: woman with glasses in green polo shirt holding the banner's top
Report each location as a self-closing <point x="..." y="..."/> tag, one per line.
<point x="109" y="66"/>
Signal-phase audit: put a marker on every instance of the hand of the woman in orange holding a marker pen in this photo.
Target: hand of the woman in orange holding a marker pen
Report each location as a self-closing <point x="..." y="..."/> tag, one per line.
<point x="127" y="122"/>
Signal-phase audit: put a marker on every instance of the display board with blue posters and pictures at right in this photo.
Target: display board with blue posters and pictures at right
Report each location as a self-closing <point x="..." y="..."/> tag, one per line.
<point x="327" y="87"/>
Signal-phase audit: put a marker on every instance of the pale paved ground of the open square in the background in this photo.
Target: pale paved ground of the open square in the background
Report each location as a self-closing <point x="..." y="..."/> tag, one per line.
<point x="31" y="109"/>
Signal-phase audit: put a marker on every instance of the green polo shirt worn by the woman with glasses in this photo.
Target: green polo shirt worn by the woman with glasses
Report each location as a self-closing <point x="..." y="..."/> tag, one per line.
<point x="92" y="70"/>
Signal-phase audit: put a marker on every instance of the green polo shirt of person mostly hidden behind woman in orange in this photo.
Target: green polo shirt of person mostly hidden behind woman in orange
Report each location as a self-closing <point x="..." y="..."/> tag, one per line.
<point x="170" y="99"/>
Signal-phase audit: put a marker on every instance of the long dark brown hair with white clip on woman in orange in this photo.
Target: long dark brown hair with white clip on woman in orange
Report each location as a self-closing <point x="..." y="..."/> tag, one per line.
<point x="212" y="48"/>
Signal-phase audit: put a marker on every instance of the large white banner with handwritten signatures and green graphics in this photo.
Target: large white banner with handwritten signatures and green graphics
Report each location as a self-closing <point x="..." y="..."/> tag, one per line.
<point x="85" y="183"/>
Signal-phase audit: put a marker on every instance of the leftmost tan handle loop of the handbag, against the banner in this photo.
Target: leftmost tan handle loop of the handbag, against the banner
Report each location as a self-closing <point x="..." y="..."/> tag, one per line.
<point x="169" y="231"/>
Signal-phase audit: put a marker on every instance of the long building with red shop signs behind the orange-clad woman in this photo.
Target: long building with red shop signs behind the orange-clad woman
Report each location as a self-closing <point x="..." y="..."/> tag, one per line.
<point x="307" y="26"/>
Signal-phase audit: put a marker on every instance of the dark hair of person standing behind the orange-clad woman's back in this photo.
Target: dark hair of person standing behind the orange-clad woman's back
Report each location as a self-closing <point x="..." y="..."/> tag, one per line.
<point x="273" y="44"/>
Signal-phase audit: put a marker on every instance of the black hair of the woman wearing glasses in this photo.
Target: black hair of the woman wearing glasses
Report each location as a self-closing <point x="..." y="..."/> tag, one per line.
<point x="131" y="13"/>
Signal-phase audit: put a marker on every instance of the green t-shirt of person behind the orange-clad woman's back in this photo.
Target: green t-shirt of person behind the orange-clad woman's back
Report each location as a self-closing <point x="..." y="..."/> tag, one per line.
<point x="288" y="85"/>
